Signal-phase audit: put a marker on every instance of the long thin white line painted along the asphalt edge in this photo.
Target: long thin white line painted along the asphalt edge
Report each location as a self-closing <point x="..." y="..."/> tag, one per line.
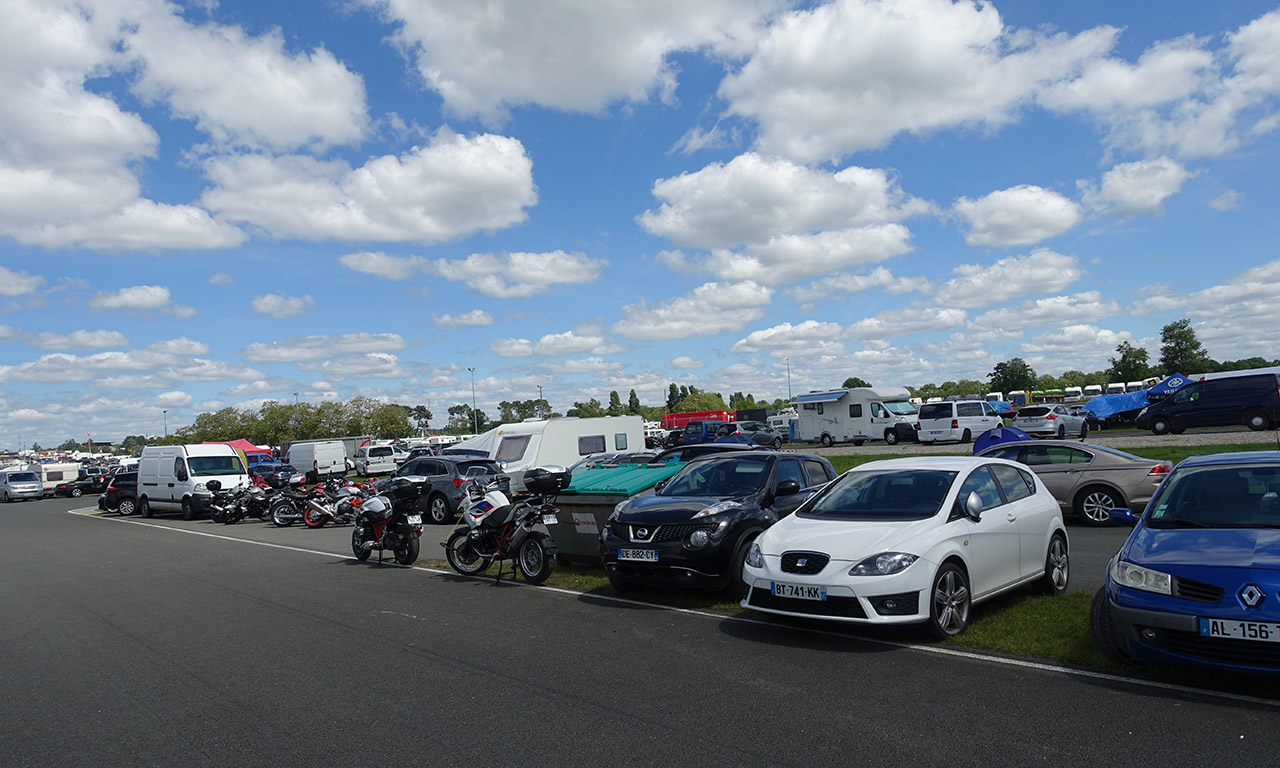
<point x="575" y="595"/>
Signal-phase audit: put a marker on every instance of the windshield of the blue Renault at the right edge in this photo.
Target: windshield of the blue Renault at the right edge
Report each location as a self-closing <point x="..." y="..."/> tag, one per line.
<point x="1219" y="497"/>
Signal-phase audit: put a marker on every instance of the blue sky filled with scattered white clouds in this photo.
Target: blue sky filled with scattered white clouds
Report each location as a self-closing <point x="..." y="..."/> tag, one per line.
<point x="217" y="204"/>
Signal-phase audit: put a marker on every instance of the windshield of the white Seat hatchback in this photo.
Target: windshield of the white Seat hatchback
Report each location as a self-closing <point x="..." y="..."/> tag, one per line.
<point x="899" y="495"/>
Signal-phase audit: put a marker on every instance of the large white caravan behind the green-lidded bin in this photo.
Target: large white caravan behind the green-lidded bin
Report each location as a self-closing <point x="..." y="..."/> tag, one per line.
<point x="556" y="442"/>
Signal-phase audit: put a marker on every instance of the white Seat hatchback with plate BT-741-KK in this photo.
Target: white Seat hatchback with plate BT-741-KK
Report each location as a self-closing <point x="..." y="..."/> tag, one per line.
<point x="911" y="541"/>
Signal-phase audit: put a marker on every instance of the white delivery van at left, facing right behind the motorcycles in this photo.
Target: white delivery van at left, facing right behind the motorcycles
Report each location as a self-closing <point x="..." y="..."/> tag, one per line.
<point x="176" y="478"/>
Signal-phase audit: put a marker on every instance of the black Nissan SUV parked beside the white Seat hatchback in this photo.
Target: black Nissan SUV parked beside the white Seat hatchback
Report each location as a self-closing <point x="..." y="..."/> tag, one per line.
<point x="696" y="529"/>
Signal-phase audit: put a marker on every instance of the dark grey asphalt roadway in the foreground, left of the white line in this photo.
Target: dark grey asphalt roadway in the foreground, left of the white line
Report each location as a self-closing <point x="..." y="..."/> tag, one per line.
<point x="130" y="644"/>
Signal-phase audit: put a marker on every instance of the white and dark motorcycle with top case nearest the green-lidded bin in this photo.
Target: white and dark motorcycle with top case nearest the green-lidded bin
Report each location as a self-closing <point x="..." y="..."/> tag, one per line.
<point x="499" y="529"/>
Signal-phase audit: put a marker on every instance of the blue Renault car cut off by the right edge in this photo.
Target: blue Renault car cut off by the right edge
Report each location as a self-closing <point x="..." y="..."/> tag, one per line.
<point x="1199" y="579"/>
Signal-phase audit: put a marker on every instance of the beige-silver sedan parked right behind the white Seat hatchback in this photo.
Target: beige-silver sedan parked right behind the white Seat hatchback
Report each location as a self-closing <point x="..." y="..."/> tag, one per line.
<point x="1087" y="479"/>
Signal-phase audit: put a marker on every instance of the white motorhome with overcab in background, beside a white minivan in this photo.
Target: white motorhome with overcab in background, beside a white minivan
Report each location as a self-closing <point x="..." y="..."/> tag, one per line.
<point x="856" y="415"/>
